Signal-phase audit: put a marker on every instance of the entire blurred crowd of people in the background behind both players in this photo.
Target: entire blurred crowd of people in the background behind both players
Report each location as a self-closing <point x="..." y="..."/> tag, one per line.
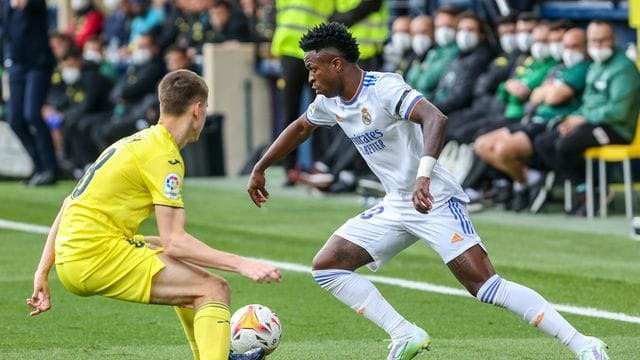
<point x="524" y="96"/>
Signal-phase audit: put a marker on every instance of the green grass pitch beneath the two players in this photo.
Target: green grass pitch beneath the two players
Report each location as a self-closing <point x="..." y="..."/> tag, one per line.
<point x="573" y="267"/>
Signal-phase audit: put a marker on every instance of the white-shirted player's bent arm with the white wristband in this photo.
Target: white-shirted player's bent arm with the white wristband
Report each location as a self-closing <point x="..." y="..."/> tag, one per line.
<point x="434" y="127"/>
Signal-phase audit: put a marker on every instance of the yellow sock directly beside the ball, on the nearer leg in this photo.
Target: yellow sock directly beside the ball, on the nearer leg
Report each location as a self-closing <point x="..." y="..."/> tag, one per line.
<point x="212" y="331"/>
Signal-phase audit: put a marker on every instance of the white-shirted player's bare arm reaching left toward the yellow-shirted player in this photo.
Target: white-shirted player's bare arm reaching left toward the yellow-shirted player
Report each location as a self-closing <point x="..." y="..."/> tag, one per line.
<point x="295" y="134"/>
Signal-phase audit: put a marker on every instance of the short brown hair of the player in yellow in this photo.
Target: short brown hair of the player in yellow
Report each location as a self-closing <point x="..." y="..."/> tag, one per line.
<point x="179" y="89"/>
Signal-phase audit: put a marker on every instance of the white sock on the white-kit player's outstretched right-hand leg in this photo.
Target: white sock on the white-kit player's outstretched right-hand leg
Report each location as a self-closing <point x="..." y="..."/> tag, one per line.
<point x="533" y="308"/>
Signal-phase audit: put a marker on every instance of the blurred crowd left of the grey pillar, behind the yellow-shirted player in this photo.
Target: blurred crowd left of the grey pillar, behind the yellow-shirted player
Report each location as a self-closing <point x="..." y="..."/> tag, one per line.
<point x="96" y="79"/>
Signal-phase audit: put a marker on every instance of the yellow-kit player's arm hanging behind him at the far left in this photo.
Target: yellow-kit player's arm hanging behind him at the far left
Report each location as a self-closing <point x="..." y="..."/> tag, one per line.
<point x="40" y="300"/>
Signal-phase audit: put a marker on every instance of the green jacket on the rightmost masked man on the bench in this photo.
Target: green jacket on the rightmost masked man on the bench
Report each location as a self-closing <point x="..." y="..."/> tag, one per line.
<point x="612" y="95"/>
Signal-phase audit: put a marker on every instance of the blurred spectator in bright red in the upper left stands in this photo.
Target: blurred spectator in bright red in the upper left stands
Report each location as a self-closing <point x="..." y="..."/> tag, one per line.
<point x="86" y="21"/>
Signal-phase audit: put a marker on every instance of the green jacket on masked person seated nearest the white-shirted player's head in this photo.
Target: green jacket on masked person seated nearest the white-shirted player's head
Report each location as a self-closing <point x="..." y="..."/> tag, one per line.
<point x="433" y="67"/>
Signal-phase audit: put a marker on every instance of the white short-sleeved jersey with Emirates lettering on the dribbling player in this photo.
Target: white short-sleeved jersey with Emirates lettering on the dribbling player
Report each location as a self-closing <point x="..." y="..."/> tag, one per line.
<point x="376" y="121"/>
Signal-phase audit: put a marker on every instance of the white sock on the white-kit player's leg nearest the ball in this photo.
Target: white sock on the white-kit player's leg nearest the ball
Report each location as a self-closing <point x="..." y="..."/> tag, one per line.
<point x="363" y="297"/>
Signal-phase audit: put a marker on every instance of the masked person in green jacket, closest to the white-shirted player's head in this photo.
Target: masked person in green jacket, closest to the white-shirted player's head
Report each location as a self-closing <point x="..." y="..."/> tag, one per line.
<point x="440" y="56"/>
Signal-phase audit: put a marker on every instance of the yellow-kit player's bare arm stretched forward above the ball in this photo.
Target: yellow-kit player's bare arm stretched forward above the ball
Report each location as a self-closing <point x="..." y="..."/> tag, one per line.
<point x="178" y="244"/>
